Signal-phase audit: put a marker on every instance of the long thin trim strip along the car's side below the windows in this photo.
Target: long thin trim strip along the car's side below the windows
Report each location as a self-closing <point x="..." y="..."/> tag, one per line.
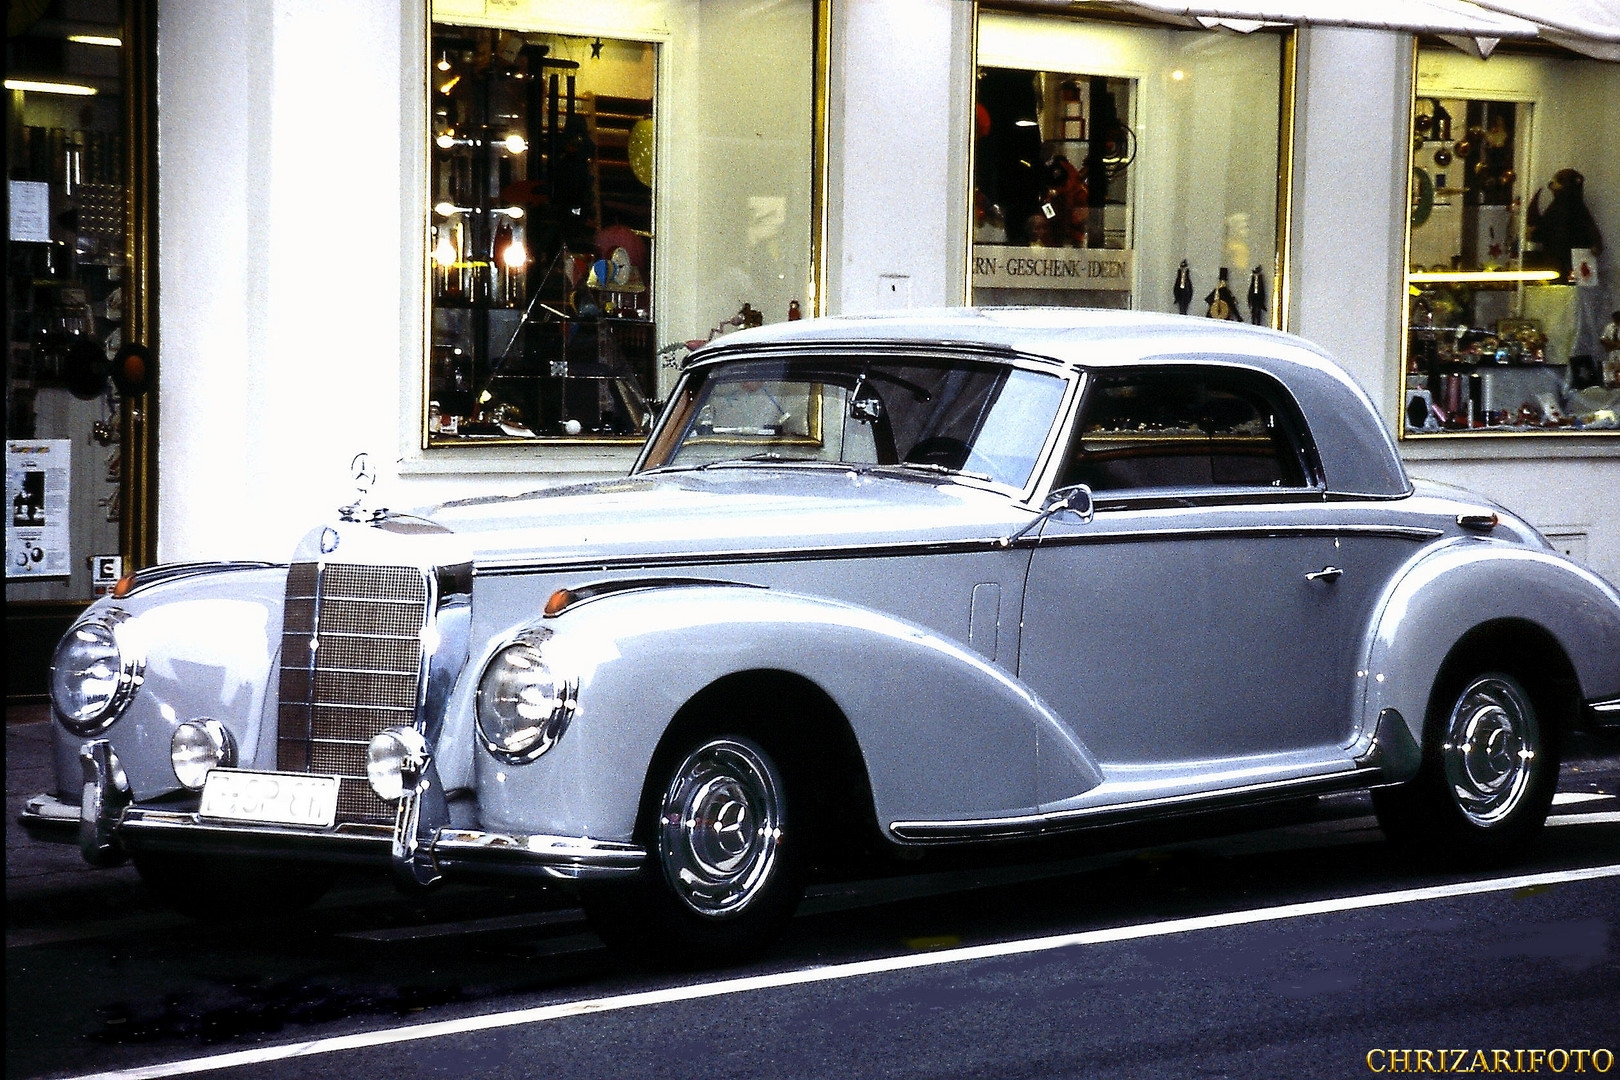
<point x="944" y="548"/>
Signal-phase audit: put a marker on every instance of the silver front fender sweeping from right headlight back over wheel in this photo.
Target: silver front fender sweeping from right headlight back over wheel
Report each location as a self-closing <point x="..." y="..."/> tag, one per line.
<point x="944" y="733"/>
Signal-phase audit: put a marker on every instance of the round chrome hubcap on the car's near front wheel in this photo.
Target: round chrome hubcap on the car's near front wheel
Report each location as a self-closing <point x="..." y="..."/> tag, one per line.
<point x="720" y="828"/>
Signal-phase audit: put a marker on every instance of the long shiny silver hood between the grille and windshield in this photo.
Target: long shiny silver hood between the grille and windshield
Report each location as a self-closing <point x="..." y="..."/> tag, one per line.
<point x="725" y="509"/>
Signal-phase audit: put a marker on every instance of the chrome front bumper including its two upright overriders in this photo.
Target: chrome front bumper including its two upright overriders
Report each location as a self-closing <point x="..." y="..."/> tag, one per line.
<point x="420" y="848"/>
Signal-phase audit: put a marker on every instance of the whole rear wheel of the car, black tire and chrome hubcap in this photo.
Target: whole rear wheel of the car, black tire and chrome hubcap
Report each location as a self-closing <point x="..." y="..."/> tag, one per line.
<point x="1488" y="775"/>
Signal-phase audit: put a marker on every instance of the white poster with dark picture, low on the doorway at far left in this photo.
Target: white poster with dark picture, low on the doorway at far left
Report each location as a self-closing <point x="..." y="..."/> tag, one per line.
<point x="38" y="475"/>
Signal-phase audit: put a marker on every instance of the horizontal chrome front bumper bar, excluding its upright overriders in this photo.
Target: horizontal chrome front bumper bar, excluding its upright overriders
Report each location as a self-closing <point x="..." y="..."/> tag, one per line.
<point x="454" y="853"/>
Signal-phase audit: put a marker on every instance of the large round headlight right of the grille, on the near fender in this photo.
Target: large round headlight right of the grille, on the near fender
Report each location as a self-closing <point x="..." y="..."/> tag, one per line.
<point x="524" y="707"/>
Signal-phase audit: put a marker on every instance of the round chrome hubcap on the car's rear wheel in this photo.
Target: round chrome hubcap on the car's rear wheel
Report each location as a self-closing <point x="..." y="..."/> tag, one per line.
<point x="1491" y="749"/>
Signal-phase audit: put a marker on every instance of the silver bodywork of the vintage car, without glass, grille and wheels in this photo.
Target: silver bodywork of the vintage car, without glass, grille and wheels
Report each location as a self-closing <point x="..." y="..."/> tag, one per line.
<point x="1005" y="671"/>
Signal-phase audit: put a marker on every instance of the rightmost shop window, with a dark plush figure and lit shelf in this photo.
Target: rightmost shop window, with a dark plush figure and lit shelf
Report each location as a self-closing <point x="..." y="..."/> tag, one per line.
<point x="1507" y="289"/>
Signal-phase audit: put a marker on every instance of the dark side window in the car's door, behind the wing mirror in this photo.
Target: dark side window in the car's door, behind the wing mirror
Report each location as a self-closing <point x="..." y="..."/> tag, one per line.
<point x="1185" y="428"/>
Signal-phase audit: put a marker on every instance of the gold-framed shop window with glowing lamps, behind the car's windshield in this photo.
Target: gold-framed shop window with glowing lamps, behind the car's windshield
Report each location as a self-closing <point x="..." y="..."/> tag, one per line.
<point x="592" y="210"/>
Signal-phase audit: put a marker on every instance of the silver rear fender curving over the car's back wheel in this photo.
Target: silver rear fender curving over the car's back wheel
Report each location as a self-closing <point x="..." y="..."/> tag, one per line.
<point x="1460" y="585"/>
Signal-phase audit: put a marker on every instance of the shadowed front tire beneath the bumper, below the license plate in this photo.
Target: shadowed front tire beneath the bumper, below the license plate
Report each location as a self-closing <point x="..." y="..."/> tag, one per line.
<point x="226" y="887"/>
